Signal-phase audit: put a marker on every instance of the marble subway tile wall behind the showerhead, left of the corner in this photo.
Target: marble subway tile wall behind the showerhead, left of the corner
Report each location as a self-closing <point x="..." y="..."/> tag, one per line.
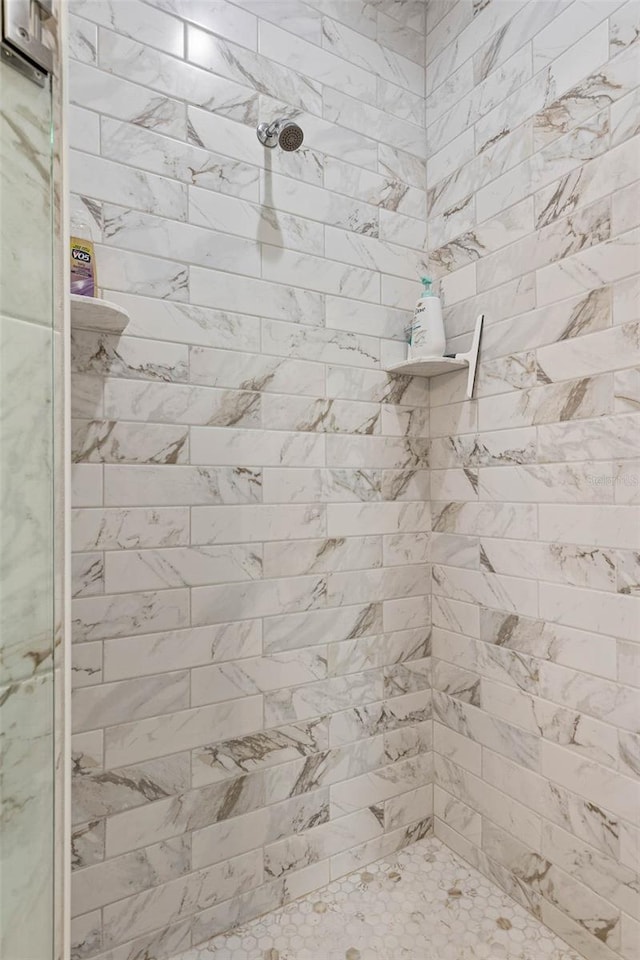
<point x="252" y="702"/>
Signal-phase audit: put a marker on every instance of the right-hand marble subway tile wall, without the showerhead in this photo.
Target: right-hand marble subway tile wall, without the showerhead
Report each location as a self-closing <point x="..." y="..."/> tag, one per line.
<point x="532" y="218"/>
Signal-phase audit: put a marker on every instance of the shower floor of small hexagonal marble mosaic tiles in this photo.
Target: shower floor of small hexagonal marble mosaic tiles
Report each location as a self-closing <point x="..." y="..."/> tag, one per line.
<point x="423" y="903"/>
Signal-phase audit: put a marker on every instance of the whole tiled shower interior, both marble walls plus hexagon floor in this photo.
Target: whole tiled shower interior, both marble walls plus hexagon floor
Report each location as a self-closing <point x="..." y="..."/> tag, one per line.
<point x="343" y="638"/>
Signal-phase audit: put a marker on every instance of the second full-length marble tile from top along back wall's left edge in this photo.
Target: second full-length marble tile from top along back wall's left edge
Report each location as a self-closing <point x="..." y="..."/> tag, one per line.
<point x="127" y="101"/>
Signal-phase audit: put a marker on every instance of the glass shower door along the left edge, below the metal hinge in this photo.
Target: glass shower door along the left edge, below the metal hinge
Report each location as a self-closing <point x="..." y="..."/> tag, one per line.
<point x="27" y="543"/>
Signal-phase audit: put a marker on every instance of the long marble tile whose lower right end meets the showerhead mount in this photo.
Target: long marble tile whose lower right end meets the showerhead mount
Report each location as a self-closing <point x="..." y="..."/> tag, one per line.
<point x="166" y="75"/>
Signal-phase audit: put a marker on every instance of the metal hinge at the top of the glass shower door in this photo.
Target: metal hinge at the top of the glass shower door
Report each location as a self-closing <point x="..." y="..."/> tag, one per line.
<point x="22" y="43"/>
